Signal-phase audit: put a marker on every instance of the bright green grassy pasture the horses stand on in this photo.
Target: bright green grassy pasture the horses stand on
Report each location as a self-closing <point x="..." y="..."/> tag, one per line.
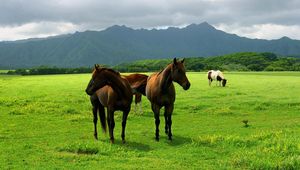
<point x="46" y="123"/>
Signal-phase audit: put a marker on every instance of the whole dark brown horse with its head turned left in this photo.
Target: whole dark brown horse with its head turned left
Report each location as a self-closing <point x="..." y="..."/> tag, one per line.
<point x="108" y="89"/>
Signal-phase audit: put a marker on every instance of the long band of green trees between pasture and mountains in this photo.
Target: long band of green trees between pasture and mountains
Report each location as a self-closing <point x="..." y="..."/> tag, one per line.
<point x="246" y="61"/>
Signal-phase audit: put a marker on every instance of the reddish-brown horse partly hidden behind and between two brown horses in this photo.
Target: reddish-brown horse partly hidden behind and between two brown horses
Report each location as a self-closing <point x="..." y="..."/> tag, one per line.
<point x="138" y="85"/>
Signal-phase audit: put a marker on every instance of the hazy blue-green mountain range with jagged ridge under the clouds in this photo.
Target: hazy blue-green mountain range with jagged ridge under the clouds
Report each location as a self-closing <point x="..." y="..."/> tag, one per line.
<point x="119" y="44"/>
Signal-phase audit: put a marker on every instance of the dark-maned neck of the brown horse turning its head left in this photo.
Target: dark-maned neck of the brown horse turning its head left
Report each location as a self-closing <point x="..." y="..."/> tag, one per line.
<point x="117" y="83"/>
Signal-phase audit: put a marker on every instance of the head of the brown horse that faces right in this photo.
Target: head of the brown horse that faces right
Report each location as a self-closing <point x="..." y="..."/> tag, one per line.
<point x="178" y="74"/>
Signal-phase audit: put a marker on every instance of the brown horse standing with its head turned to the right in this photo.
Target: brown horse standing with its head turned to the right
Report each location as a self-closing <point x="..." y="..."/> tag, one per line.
<point x="161" y="92"/>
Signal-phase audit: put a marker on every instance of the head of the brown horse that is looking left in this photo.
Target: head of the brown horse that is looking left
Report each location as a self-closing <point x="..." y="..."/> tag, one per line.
<point x="97" y="81"/>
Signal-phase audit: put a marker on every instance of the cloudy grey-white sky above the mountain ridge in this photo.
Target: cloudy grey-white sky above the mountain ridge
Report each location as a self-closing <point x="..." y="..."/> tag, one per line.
<point x="264" y="19"/>
